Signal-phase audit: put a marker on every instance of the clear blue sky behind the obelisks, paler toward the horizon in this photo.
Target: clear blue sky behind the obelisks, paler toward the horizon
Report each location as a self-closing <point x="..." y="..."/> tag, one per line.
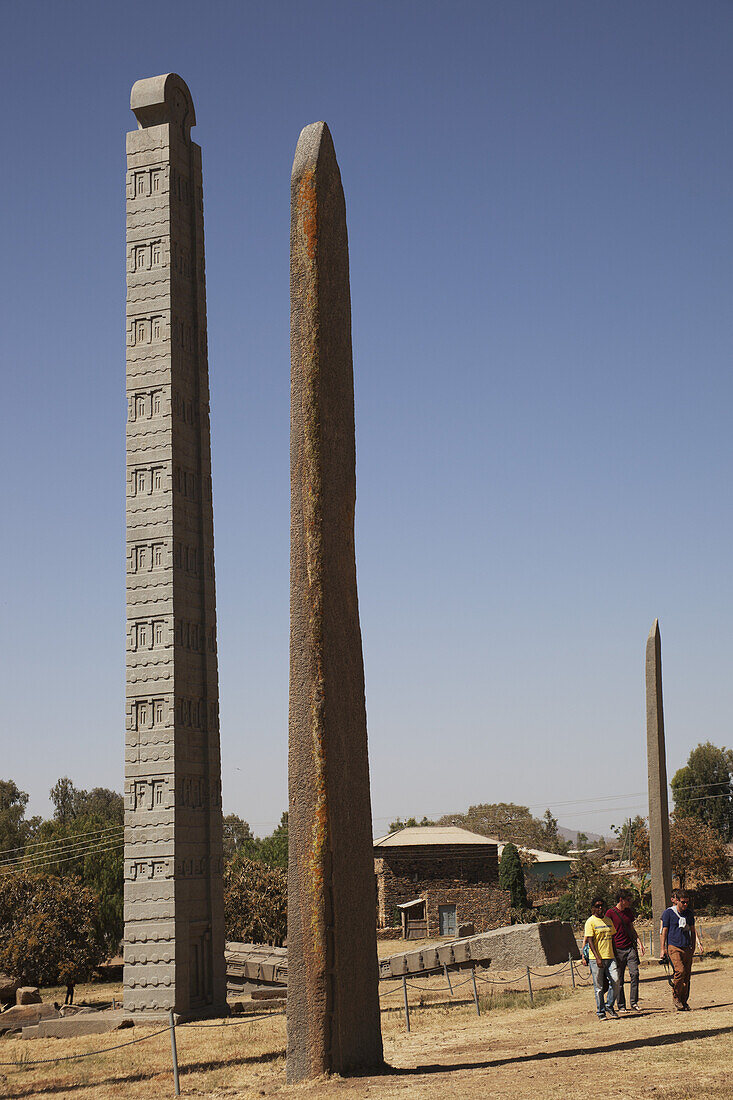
<point x="540" y="216"/>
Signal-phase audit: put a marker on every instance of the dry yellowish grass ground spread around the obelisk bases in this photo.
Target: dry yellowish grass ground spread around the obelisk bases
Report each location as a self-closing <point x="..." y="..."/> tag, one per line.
<point x="556" y="1048"/>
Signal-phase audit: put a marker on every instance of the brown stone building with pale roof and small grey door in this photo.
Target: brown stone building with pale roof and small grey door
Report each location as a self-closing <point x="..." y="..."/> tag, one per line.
<point x="435" y="881"/>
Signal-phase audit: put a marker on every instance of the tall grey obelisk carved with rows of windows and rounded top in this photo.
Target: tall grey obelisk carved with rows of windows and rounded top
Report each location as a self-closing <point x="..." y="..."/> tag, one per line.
<point x="174" y="933"/>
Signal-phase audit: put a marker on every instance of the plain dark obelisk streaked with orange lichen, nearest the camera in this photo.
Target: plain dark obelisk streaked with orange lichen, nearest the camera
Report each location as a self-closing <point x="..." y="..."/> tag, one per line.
<point x="333" y="997"/>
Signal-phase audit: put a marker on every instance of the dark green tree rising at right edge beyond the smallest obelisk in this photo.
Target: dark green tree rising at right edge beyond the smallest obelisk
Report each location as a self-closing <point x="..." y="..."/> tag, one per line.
<point x="704" y="788"/>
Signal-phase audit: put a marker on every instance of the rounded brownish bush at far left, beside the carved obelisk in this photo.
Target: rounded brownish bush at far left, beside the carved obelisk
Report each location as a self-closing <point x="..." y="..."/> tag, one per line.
<point x="49" y="929"/>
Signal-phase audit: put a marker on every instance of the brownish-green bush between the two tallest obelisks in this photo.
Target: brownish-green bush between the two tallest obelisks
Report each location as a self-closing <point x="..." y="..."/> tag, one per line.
<point x="256" y="903"/>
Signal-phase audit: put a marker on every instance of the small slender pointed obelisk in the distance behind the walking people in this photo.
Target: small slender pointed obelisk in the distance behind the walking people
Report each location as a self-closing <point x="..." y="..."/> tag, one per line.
<point x="660" y="853"/>
